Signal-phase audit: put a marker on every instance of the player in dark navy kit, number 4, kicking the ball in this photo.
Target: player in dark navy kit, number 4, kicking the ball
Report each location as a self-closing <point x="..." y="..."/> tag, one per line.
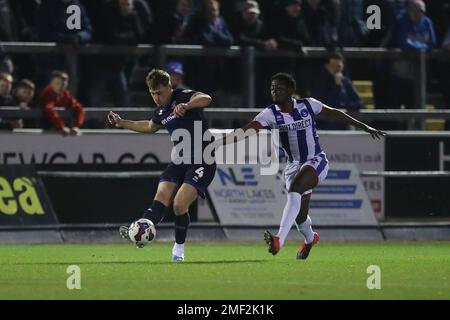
<point x="181" y="183"/>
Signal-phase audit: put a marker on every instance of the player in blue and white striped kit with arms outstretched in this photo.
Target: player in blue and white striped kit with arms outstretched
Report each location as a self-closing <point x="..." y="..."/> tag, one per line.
<point x="307" y="163"/>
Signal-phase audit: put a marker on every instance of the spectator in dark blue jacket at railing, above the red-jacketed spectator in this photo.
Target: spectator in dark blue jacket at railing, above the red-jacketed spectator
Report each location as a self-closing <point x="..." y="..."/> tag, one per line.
<point x="51" y="26"/>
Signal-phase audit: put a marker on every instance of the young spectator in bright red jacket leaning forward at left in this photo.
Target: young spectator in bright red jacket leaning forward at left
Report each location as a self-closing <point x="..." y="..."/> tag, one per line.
<point x="56" y="95"/>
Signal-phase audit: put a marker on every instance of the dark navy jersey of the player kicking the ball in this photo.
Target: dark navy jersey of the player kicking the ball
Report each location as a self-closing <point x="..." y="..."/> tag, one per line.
<point x="164" y="116"/>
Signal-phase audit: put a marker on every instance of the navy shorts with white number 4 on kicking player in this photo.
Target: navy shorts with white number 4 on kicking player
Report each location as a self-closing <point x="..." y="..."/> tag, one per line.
<point x="199" y="176"/>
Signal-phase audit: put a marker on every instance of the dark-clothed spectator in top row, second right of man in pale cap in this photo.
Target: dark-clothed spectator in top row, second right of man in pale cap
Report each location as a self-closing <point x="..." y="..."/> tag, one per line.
<point x="320" y="22"/>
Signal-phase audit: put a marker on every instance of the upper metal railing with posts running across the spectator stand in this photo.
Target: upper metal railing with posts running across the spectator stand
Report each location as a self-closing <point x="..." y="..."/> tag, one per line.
<point x="248" y="56"/>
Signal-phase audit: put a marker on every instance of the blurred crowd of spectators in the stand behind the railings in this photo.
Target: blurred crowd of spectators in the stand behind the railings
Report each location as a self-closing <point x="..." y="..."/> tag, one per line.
<point x="266" y="24"/>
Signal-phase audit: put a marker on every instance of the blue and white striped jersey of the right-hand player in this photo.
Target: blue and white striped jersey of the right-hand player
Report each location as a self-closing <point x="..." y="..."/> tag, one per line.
<point x="298" y="135"/>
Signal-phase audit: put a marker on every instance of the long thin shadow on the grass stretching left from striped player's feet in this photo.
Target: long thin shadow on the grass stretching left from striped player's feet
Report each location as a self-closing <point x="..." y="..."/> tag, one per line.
<point x="143" y="262"/>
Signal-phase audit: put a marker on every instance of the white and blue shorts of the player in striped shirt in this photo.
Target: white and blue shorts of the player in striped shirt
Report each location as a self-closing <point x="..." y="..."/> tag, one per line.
<point x="319" y="163"/>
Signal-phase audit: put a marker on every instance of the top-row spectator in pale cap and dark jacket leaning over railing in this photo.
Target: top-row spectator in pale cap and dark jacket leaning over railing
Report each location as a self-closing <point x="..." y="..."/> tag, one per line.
<point x="249" y="29"/>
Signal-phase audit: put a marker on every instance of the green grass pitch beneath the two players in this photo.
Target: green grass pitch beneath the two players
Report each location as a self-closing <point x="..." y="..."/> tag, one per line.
<point x="410" y="270"/>
